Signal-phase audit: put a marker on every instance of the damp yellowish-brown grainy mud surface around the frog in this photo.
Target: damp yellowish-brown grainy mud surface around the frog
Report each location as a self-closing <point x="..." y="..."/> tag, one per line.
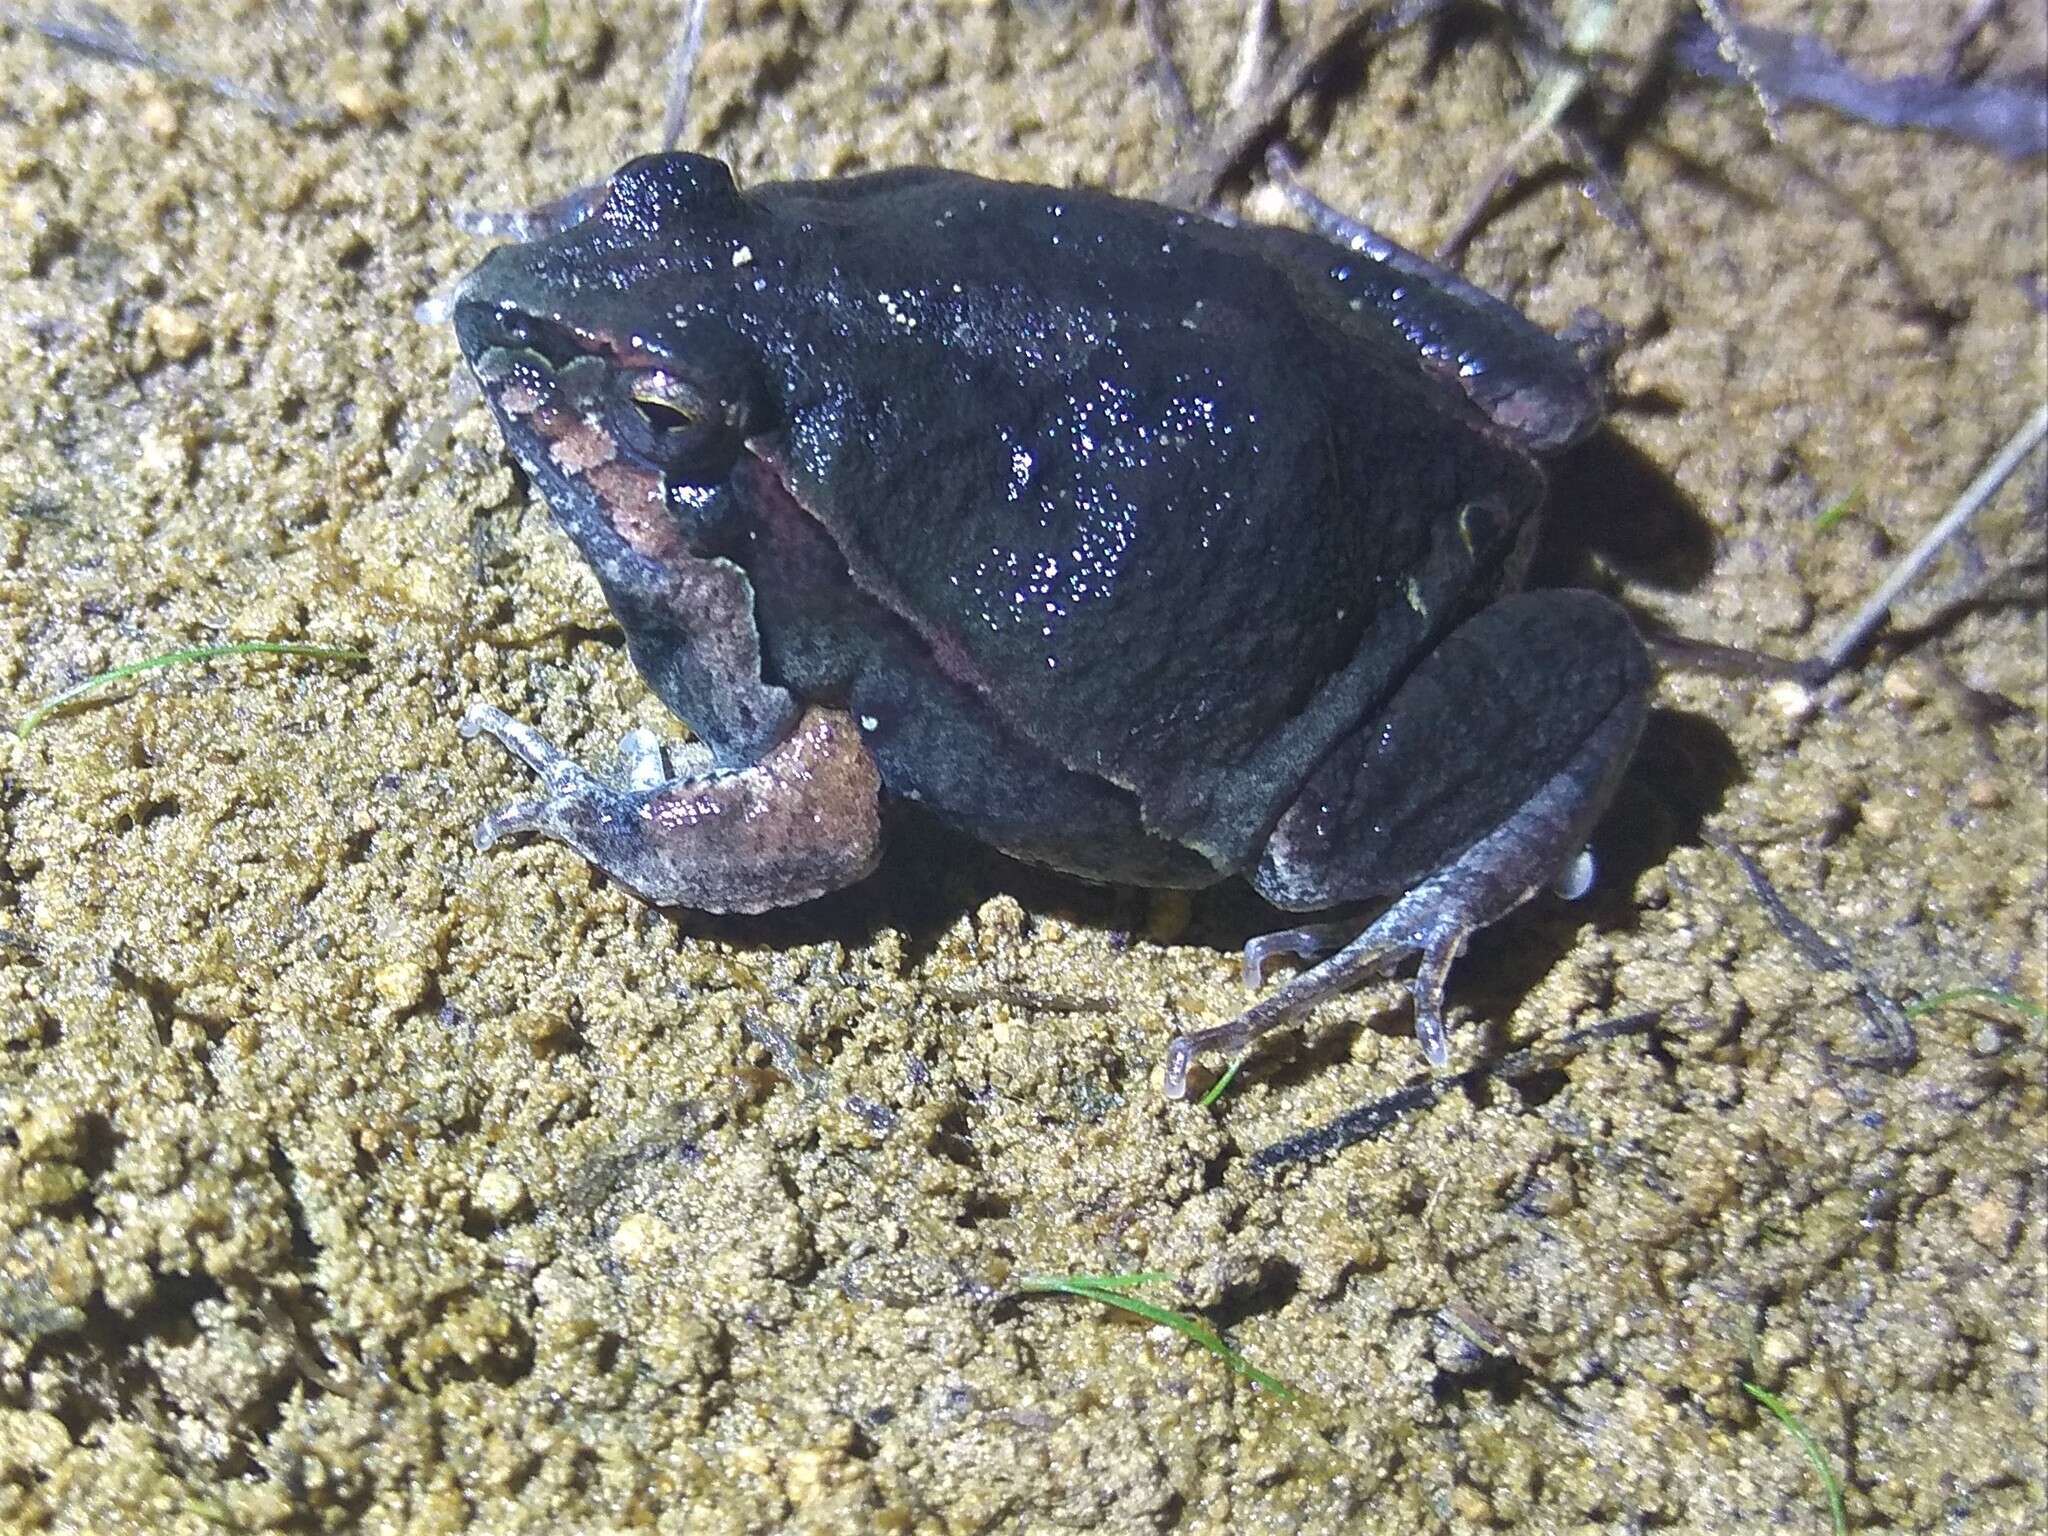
<point x="353" y="1179"/>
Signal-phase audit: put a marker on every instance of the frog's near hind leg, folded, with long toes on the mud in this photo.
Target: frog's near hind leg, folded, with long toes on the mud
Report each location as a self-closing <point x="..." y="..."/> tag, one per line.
<point x="1469" y="794"/>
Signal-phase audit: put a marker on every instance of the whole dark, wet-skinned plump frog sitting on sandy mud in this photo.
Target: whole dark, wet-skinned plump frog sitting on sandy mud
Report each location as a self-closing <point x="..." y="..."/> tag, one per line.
<point x="1127" y="542"/>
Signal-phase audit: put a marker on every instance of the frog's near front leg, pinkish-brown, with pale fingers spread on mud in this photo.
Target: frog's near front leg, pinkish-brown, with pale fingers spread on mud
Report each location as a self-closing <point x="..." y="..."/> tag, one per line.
<point x="794" y="826"/>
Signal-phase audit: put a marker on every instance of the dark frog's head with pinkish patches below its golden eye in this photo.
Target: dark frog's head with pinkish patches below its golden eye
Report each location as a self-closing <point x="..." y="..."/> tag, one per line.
<point x="611" y="355"/>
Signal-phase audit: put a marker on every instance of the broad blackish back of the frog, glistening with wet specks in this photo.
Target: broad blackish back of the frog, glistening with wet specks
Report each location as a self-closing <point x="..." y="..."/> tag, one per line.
<point x="1175" y="521"/>
